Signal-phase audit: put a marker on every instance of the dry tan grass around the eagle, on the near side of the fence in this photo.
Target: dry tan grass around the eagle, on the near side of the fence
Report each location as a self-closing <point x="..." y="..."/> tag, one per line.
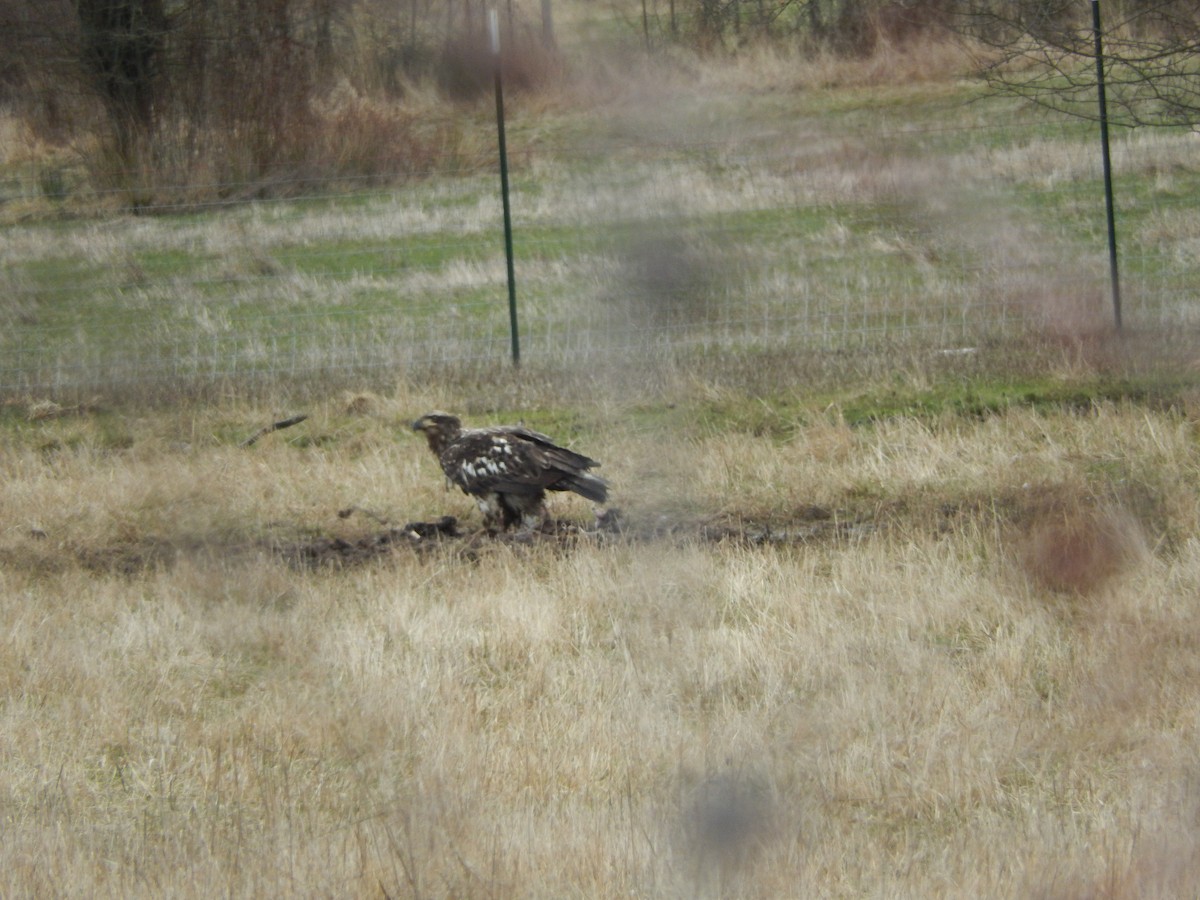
<point x="907" y="709"/>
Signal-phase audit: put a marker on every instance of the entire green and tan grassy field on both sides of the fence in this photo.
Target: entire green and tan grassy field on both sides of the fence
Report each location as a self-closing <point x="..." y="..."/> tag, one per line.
<point x="886" y="619"/>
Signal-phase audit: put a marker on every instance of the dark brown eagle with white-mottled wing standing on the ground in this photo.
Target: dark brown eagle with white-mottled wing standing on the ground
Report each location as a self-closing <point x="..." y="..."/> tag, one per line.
<point x="508" y="470"/>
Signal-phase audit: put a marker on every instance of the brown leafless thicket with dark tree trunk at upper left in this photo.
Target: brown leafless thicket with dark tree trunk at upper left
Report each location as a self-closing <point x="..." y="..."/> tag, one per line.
<point x="241" y="95"/>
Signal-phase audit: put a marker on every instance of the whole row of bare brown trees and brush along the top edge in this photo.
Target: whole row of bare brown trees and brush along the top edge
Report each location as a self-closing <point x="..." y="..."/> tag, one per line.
<point x="248" y="94"/>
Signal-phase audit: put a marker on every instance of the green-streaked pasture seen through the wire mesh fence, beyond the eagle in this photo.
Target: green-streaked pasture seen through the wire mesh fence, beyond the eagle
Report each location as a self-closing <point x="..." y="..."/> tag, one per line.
<point x="638" y="244"/>
